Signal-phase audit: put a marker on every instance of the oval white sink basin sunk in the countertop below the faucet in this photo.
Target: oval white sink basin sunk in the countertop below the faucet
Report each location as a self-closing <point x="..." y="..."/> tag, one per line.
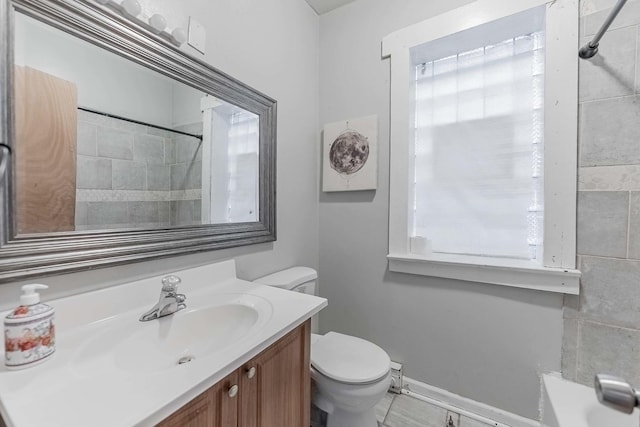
<point x="168" y="342"/>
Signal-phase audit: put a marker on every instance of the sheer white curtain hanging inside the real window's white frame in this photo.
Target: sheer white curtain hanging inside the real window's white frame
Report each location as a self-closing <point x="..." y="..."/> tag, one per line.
<point x="478" y="152"/>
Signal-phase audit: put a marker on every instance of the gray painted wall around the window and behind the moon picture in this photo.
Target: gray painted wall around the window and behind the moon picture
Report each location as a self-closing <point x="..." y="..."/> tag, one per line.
<point x="484" y="342"/>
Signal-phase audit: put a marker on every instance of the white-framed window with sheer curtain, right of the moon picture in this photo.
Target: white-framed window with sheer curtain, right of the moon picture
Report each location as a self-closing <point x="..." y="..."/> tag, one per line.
<point x="483" y="145"/>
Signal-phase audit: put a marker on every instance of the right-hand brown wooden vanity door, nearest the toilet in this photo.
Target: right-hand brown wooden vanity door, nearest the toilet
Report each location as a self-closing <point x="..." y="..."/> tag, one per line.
<point x="278" y="395"/>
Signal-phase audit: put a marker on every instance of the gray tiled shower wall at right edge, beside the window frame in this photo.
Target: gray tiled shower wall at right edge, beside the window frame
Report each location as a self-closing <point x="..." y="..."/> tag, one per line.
<point x="602" y="325"/>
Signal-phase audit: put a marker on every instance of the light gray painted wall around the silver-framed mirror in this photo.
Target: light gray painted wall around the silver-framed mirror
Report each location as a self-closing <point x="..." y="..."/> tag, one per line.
<point x="261" y="55"/>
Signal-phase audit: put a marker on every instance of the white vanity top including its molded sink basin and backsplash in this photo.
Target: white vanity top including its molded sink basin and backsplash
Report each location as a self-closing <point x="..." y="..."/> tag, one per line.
<point x="116" y="371"/>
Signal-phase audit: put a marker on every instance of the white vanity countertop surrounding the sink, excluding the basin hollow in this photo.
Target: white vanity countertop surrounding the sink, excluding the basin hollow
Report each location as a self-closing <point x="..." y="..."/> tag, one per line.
<point x="73" y="390"/>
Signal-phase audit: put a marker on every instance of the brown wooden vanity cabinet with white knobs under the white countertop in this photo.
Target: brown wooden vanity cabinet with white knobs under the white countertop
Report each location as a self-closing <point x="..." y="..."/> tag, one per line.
<point x="271" y="390"/>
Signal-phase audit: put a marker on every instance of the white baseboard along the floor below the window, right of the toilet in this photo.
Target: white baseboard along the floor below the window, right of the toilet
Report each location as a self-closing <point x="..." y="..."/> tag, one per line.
<point x="464" y="406"/>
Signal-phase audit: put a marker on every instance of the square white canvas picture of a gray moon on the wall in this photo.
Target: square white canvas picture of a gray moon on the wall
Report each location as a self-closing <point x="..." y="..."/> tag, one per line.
<point x="350" y="155"/>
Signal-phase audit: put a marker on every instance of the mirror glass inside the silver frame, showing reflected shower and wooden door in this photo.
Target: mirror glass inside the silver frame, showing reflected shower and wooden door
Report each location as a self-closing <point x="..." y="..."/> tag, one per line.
<point x="103" y="143"/>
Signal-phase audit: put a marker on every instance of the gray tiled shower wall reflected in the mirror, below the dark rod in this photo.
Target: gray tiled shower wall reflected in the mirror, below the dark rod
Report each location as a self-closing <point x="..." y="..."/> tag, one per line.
<point x="131" y="175"/>
